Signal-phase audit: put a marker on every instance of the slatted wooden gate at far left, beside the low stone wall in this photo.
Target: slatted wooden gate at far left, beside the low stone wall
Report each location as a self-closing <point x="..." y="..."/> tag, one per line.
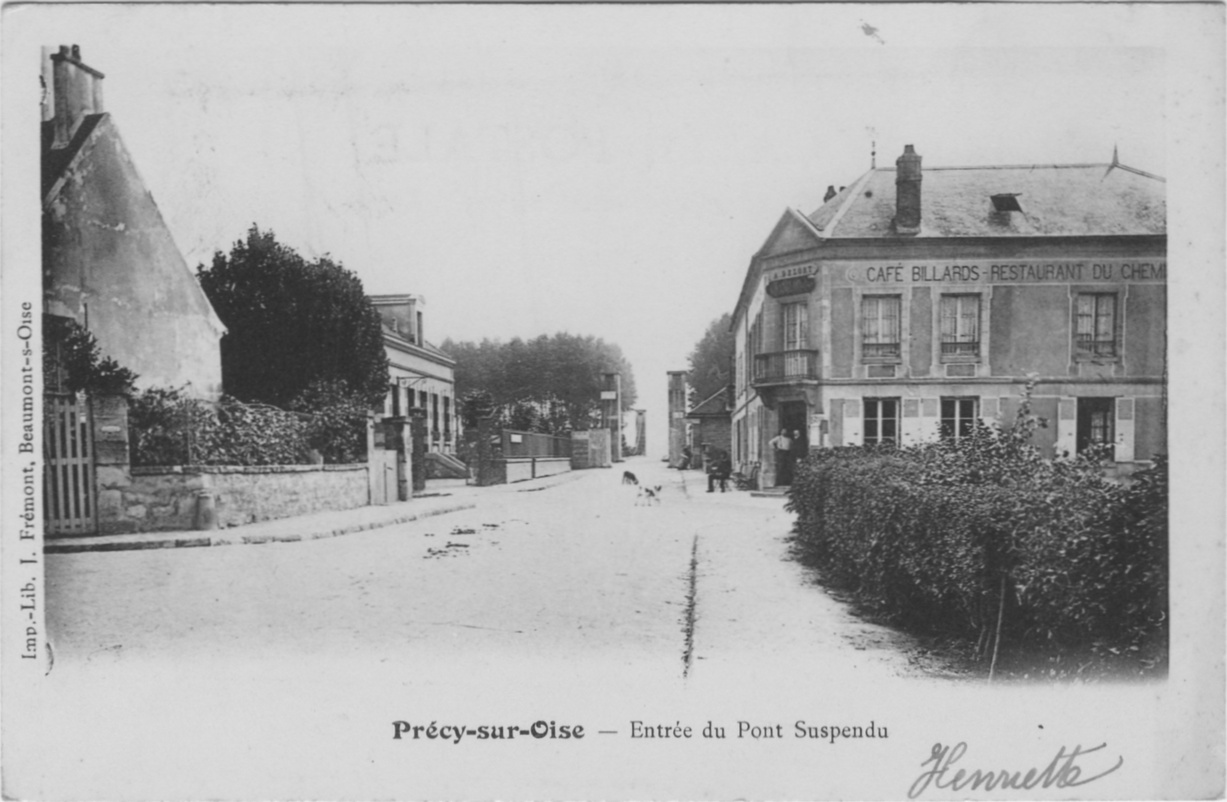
<point x="69" y="490"/>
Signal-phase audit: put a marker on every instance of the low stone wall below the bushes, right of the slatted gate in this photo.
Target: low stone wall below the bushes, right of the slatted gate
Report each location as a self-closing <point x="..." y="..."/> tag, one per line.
<point x="148" y="500"/>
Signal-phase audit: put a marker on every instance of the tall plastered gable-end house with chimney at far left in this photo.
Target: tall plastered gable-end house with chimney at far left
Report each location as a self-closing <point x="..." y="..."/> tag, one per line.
<point x="110" y="263"/>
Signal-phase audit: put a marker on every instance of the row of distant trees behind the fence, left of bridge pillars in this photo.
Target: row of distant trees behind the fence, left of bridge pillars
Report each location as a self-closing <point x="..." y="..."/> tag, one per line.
<point x="548" y="384"/>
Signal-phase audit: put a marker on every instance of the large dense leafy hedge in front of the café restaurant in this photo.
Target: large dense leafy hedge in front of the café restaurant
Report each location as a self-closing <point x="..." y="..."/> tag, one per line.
<point x="954" y="538"/>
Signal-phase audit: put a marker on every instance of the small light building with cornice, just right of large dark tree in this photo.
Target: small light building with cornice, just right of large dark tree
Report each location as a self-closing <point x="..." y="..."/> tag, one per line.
<point x="421" y="376"/>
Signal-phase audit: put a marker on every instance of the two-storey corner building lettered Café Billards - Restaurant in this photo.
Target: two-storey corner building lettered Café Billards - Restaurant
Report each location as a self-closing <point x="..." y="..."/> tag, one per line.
<point x="915" y="302"/>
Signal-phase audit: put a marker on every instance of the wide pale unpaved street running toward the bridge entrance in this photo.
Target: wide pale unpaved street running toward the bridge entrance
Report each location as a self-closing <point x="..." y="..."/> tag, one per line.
<point x="693" y="586"/>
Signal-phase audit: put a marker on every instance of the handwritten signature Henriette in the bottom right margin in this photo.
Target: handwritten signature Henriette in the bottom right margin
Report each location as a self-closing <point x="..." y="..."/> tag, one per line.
<point x="1063" y="772"/>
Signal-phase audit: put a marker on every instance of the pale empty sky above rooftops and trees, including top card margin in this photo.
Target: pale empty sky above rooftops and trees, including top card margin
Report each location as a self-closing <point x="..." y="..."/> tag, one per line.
<point x="604" y="171"/>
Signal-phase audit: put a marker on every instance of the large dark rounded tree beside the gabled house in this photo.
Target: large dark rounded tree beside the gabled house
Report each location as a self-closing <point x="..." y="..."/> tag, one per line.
<point x="293" y="323"/>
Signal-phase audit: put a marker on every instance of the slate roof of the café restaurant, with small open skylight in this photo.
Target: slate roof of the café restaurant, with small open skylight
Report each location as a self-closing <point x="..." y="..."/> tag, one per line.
<point x="1056" y="200"/>
